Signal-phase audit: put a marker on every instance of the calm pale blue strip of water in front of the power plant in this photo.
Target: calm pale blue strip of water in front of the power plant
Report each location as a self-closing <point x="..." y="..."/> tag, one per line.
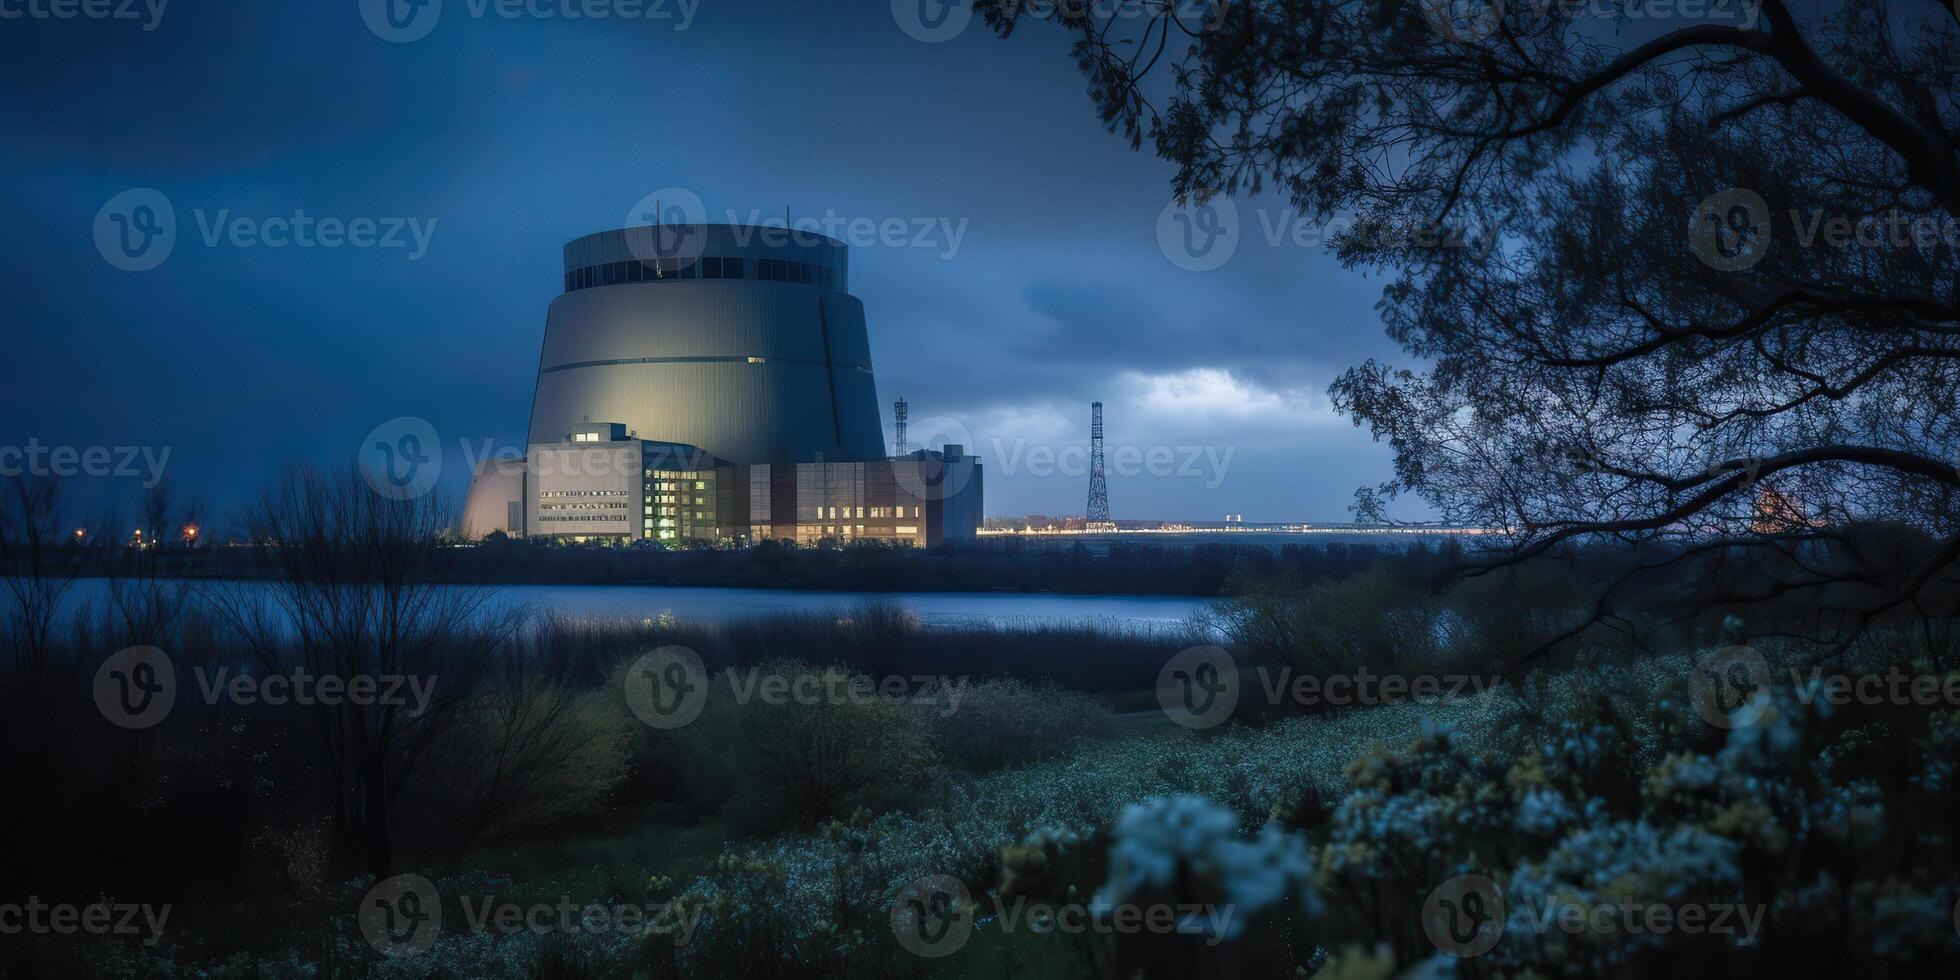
<point x="726" y="605"/>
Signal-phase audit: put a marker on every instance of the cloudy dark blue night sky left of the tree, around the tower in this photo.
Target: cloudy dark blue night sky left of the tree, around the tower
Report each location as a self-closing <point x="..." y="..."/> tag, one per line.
<point x="518" y="134"/>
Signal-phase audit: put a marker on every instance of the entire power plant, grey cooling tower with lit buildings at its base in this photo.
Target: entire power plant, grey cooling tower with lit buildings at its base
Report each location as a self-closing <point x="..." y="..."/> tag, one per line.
<point x="714" y="385"/>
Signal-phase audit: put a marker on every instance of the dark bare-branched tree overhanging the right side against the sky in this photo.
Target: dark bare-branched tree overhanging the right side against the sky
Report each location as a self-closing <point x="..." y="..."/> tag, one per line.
<point x="1718" y="260"/>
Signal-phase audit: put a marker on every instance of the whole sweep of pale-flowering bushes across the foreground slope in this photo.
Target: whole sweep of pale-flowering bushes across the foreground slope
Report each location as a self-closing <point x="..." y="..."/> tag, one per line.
<point x="1618" y="830"/>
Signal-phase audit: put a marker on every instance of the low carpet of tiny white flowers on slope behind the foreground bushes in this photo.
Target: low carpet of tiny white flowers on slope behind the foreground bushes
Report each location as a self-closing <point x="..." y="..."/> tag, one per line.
<point x="799" y="897"/>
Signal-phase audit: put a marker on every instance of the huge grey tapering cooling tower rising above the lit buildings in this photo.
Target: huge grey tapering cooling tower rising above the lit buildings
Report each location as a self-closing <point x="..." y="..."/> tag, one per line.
<point x="744" y="342"/>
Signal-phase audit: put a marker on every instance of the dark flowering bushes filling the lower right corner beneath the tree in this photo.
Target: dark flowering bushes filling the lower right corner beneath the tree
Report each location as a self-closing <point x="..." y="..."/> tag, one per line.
<point x="1812" y="836"/>
